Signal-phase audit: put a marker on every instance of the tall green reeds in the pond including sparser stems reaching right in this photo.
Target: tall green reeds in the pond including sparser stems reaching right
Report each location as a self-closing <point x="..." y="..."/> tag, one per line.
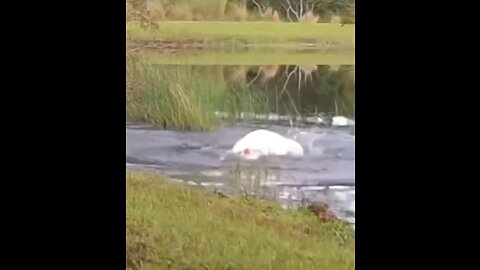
<point x="183" y="98"/>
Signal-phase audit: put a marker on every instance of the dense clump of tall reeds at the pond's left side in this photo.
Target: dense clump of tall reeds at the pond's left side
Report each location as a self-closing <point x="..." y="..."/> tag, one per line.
<point x="167" y="97"/>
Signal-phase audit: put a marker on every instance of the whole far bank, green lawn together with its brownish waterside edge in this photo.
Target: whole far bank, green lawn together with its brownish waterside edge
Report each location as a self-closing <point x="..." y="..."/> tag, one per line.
<point x="180" y="35"/>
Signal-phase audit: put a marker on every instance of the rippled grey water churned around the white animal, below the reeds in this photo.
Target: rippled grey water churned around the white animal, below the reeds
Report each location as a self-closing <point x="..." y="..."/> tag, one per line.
<point x="326" y="172"/>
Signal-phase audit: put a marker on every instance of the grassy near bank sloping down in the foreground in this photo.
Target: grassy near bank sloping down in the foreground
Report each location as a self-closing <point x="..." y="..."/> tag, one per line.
<point x="170" y="226"/>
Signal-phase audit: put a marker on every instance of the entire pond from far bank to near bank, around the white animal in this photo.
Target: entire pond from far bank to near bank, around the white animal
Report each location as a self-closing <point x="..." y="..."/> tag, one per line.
<point x="239" y="92"/>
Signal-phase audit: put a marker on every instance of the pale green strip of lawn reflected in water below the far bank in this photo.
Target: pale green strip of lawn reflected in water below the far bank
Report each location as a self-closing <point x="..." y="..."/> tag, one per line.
<point x="254" y="57"/>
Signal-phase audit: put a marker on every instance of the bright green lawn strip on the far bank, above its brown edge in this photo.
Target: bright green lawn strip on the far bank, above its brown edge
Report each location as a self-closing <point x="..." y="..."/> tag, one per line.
<point x="251" y="31"/>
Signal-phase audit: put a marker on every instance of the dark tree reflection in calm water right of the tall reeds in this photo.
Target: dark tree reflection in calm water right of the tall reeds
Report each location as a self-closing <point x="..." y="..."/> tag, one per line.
<point x="307" y="90"/>
